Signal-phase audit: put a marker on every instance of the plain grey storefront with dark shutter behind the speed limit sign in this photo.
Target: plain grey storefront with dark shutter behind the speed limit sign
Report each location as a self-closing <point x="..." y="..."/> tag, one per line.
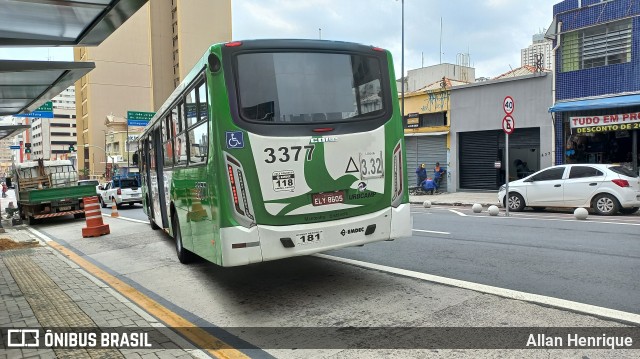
<point x="478" y="146"/>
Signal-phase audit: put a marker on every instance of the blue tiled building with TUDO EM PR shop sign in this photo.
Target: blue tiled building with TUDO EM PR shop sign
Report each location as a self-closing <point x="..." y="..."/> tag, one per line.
<point x="597" y="81"/>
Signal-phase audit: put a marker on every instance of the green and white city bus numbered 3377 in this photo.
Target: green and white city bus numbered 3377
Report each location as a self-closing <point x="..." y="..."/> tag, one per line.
<point x="277" y="148"/>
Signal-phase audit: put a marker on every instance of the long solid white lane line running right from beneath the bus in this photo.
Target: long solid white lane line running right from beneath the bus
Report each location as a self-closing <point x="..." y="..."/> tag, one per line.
<point x="502" y="292"/>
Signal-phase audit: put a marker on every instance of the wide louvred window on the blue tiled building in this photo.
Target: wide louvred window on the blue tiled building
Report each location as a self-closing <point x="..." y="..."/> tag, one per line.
<point x="597" y="46"/>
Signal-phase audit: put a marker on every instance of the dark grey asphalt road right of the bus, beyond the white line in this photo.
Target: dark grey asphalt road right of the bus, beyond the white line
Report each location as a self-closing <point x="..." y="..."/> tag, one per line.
<point x="594" y="262"/>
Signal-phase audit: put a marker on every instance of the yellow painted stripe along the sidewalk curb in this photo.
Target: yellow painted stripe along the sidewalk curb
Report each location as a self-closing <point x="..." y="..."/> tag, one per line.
<point x="198" y="336"/>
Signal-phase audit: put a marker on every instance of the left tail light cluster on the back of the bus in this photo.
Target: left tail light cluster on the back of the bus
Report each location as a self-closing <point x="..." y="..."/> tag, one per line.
<point x="240" y="197"/>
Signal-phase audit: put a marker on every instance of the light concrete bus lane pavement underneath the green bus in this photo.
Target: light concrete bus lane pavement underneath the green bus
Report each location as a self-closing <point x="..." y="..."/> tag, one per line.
<point x="301" y="292"/>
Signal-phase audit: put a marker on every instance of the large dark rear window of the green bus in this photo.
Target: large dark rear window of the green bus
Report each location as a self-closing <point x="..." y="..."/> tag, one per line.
<point x="290" y="87"/>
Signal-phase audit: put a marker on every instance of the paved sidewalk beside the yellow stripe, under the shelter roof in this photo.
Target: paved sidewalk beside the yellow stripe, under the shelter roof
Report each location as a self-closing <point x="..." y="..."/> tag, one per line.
<point x="40" y="288"/>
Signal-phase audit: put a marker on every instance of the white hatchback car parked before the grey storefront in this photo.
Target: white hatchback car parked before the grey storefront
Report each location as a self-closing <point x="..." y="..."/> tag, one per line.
<point x="607" y="189"/>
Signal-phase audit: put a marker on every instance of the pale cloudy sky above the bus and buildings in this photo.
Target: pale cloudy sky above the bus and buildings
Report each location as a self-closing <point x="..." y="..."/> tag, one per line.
<point x="492" y="32"/>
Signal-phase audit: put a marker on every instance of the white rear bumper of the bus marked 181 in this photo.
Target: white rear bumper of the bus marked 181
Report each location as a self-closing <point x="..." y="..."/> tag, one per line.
<point x="275" y="242"/>
